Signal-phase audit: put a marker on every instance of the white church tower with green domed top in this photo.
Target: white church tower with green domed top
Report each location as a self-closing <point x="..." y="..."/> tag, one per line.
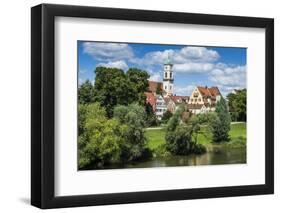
<point x="168" y="78"/>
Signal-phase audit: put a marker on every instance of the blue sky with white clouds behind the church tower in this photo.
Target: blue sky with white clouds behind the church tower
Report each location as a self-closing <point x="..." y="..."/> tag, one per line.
<point x="224" y="67"/>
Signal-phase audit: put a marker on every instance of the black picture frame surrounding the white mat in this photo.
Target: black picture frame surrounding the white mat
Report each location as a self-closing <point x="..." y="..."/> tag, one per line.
<point x="43" y="102"/>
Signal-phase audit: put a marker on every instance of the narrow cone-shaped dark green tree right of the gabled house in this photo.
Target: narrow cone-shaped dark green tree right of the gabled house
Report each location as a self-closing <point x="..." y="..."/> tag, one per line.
<point x="221" y="125"/>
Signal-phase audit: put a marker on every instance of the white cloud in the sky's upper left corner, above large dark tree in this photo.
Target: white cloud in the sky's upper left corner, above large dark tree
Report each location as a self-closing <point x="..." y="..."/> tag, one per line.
<point x="108" y="51"/>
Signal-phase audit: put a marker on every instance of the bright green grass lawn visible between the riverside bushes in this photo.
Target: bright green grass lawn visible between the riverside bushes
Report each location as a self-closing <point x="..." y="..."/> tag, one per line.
<point x="156" y="137"/>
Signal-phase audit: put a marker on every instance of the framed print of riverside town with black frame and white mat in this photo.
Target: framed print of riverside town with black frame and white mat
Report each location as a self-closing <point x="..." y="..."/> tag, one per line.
<point x="140" y="106"/>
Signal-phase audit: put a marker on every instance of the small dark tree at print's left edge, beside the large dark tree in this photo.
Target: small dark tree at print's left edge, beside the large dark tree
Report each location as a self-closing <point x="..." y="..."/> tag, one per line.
<point x="85" y="92"/>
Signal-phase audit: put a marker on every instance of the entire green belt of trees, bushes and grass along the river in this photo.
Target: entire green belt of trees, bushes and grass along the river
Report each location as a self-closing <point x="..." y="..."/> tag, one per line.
<point x="115" y="123"/>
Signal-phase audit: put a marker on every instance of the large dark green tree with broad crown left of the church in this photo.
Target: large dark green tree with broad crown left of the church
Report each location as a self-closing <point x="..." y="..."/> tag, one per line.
<point x="115" y="87"/>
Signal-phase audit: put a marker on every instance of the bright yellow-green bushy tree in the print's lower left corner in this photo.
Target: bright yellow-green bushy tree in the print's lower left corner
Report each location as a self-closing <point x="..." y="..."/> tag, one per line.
<point x="102" y="139"/>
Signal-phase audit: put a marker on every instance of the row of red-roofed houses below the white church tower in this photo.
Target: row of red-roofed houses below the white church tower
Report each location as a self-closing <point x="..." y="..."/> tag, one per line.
<point x="201" y="100"/>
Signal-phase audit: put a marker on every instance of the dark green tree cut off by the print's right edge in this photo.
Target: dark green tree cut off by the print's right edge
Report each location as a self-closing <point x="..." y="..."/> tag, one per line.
<point x="237" y="105"/>
